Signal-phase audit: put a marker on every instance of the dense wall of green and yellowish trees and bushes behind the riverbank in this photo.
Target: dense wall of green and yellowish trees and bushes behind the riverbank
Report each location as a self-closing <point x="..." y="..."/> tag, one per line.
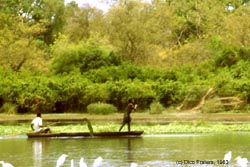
<point x="62" y="58"/>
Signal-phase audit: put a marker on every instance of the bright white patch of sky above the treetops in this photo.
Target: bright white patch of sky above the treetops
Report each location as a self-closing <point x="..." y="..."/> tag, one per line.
<point x="100" y="4"/>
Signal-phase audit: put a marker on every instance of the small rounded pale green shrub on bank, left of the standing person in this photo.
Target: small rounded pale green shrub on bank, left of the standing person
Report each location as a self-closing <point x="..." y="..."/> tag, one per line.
<point x="101" y="108"/>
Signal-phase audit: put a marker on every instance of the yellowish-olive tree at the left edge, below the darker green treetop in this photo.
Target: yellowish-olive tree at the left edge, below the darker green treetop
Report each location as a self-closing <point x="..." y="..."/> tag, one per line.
<point x="18" y="44"/>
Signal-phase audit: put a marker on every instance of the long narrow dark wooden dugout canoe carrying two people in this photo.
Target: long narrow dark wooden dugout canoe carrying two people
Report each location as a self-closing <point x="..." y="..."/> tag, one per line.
<point x="87" y="134"/>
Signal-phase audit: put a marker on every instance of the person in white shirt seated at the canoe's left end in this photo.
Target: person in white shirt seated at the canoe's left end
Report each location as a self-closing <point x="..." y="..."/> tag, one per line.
<point x="37" y="125"/>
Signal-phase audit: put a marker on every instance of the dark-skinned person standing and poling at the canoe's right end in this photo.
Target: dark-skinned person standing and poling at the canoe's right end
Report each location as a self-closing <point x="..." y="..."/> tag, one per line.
<point x="126" y="117"/>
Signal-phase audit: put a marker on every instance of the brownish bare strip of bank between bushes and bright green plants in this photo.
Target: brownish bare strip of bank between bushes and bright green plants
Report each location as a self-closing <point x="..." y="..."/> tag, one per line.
<point x="143" y="118"/>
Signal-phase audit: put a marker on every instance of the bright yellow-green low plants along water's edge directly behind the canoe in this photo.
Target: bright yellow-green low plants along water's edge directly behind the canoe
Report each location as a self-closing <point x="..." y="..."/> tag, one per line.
<point x="172" y="128"/>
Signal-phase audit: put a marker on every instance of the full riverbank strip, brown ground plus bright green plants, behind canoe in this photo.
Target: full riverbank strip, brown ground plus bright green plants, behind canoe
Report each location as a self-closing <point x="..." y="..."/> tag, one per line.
<point x="150" y="124"/>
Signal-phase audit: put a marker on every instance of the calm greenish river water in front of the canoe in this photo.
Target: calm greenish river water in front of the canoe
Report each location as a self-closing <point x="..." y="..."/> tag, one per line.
<point x="147" y="151"/>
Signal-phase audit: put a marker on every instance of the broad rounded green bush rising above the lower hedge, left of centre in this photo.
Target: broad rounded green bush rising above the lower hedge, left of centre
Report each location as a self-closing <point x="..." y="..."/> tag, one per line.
<point x="82" y="57"/>
